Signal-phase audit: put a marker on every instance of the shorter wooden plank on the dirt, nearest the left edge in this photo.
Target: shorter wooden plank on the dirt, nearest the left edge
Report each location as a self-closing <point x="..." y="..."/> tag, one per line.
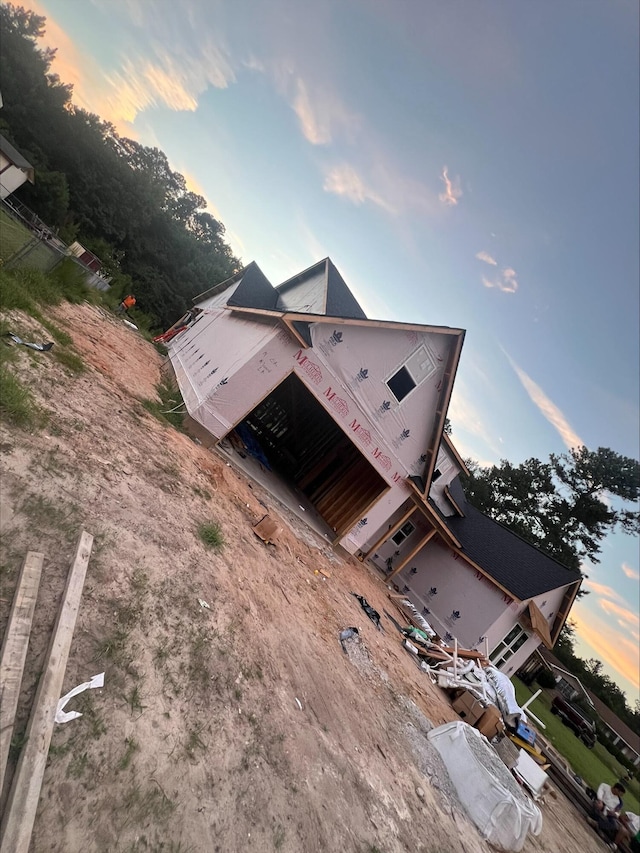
<point x="14" y="650"/>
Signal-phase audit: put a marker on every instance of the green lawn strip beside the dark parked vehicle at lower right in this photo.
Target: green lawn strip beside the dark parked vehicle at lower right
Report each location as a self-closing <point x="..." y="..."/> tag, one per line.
<point x="592" y="765"/>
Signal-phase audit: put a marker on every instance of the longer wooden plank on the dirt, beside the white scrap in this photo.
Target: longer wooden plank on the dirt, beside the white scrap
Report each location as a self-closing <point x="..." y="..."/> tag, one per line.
<point x="22" y="804"/>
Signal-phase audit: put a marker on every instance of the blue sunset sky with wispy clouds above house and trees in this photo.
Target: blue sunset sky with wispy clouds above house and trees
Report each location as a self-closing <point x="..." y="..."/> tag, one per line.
<point x="466" y="164"/>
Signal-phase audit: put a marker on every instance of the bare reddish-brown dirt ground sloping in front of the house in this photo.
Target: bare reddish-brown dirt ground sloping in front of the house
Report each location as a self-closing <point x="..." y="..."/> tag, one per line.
<point x="236" y="728"/>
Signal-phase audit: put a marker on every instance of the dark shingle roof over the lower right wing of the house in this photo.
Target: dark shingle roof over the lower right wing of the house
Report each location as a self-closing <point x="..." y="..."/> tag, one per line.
<point x="519" y="567"/>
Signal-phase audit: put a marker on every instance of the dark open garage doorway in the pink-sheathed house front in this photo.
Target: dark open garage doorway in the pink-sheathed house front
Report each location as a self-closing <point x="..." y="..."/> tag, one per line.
<point x="304" y="445"/>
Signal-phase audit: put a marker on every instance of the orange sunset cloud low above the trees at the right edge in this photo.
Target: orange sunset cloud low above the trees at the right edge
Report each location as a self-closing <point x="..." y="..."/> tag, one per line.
<point x="609" y="644"/>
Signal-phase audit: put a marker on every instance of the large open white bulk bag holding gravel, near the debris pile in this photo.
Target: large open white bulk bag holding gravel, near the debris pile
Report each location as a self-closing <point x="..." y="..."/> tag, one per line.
<point x="487" y="790"/>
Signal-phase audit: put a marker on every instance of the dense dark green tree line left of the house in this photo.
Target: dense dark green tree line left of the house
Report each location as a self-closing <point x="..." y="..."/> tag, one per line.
<point x="121" y="199"/>
